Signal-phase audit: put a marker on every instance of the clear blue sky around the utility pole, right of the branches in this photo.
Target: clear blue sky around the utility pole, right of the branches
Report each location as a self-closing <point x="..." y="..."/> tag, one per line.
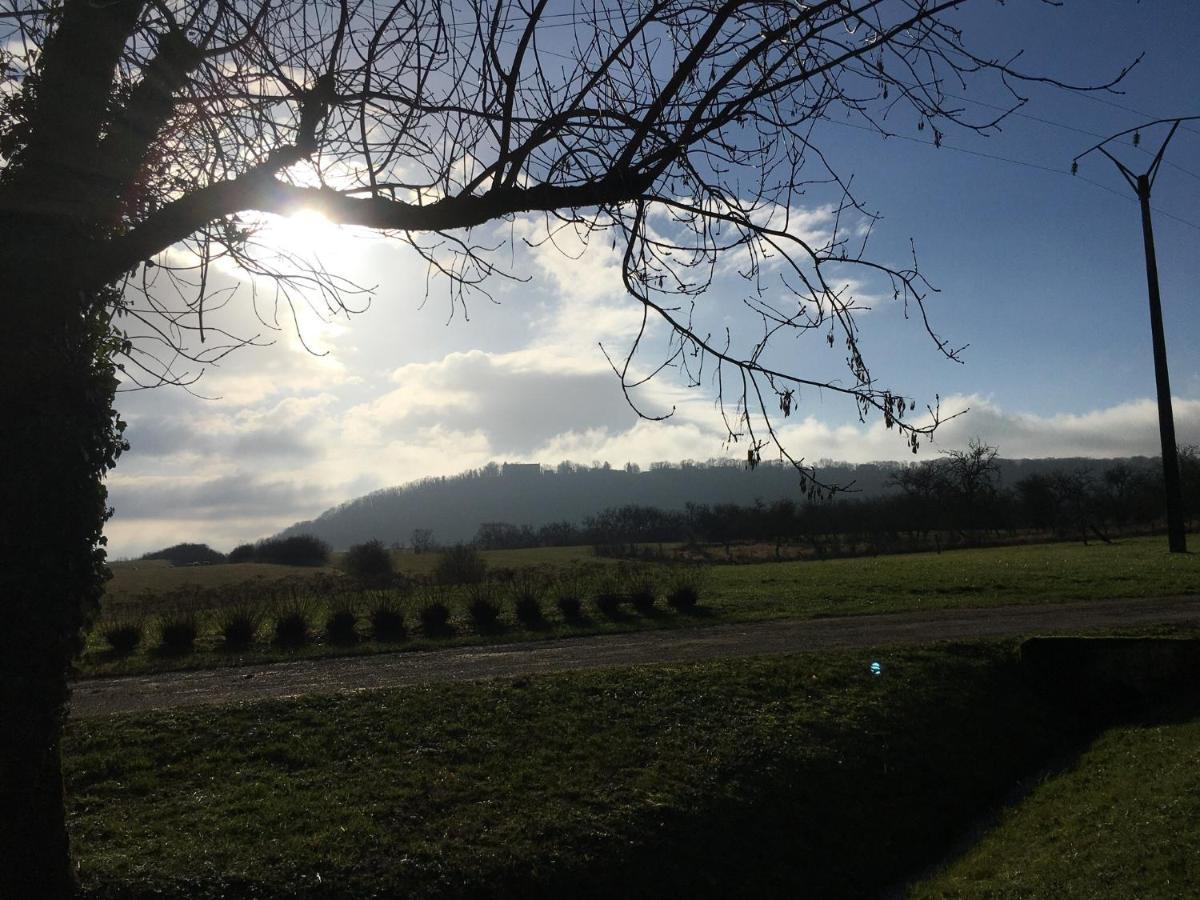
<point x="1041" y="273"/>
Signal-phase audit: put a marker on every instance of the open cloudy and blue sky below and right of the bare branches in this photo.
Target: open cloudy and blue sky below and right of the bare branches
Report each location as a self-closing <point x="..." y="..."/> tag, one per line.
<point x="1040" y="274"/>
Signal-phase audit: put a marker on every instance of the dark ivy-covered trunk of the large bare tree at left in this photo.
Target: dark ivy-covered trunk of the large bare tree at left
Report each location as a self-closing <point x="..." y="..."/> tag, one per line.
<point x="59" y="439"/>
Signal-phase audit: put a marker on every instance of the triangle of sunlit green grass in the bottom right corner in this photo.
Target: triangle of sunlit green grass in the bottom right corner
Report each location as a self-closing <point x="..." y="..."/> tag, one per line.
<point x="1123" y="823"/>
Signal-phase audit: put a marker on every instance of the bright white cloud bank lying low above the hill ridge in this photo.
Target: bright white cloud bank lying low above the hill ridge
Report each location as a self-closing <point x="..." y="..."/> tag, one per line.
<point x="494" y="410"/>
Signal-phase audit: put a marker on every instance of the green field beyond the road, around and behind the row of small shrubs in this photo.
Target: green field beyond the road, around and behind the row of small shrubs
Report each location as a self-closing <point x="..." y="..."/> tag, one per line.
<point x="1051" y="573"/>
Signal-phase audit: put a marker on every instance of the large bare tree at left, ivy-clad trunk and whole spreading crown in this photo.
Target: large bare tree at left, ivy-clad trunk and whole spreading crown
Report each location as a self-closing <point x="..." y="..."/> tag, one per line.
<point x="142" y="141"/>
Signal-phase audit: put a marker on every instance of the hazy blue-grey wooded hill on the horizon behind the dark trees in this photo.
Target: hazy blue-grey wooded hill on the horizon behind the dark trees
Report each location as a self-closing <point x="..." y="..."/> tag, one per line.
<point x="532" y="495"/>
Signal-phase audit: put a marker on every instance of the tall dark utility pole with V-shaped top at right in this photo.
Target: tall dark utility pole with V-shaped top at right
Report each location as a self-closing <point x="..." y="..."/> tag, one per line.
<point x="1142" y="185"/>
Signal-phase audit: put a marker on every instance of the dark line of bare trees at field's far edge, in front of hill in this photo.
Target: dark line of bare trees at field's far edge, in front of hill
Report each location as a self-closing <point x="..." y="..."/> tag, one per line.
<point x="953" y="501"/>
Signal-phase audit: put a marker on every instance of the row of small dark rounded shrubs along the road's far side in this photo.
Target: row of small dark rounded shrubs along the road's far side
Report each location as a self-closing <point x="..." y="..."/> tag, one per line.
<point x="346" y="619"/>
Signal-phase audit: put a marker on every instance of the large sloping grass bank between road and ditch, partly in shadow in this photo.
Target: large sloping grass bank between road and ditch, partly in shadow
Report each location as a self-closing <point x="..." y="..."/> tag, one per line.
<point x="797" y="776"/>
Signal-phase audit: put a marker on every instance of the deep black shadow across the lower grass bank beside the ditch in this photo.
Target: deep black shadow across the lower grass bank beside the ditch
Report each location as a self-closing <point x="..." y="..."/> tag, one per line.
<point x="843" y="808"/>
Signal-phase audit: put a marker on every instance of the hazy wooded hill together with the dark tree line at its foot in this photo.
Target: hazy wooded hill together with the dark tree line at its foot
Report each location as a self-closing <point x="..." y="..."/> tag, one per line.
<point x="961" y="497"/>
